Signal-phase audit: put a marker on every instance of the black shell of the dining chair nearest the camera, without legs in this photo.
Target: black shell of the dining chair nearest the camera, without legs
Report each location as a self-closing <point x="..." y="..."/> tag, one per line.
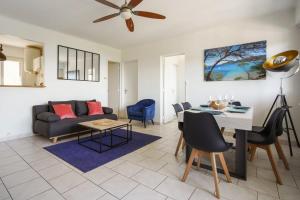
<point x="201" y="131"/>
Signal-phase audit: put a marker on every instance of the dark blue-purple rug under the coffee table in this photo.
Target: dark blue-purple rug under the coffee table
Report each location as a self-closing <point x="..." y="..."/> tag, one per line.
<point x="86" y="159"/>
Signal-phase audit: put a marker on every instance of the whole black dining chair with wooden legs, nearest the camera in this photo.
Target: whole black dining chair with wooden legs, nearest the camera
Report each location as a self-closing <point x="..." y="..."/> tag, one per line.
<point x="201" y="132"/>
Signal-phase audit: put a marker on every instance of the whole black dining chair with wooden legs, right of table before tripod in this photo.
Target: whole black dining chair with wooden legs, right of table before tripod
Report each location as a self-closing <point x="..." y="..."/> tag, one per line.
<point x="267" y="137"/>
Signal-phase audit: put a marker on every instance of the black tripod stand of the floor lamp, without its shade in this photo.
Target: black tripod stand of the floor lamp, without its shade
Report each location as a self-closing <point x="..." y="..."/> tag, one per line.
<point x="287" y="118"/>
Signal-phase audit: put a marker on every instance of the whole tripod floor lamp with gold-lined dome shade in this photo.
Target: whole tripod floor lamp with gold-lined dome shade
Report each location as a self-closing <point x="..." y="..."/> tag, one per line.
<point x="287" y="64"/>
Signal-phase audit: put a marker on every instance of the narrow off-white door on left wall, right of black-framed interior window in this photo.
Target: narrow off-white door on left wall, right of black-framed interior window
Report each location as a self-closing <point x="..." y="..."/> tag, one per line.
<point x="114" y="86"/>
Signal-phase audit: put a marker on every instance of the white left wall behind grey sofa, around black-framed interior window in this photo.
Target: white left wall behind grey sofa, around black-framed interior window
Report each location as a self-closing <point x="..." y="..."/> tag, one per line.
<point x="16" y="103"/>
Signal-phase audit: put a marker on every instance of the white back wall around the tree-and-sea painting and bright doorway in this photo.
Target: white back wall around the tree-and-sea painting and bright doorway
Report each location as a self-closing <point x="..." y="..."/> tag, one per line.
<point x="279" y="30"/>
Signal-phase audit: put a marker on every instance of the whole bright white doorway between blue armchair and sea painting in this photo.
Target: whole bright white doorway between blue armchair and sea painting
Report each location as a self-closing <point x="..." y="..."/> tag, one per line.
<point x="174" y="87"/>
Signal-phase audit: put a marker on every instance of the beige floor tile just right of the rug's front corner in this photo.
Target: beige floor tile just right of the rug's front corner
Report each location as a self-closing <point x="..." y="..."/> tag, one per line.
<point x="100" y="175"/>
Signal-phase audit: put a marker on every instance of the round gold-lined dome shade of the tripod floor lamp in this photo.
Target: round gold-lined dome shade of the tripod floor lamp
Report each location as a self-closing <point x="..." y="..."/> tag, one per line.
<point x="282" y="62"/>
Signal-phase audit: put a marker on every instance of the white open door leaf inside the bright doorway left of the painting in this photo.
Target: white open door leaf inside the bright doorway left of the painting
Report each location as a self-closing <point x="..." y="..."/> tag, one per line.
<point x="170" y="91"/>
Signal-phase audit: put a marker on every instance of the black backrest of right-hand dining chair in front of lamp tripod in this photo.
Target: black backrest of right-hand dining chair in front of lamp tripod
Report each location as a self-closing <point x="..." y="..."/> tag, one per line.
<point x="271" y="129"/>
